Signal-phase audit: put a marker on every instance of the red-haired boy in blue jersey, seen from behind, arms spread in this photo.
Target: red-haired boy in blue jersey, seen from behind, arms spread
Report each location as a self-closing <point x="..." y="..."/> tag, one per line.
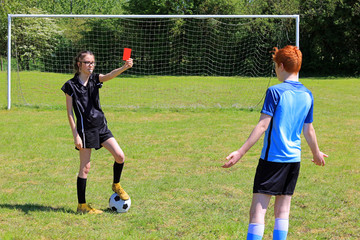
<point x="287" y="110"/>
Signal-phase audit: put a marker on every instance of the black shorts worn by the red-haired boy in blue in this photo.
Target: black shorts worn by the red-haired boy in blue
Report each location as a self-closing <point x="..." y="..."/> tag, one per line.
<point x="274" y="178"/>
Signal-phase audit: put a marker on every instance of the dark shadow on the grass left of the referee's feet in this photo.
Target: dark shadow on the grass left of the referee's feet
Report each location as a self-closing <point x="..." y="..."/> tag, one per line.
<point x="26" y="208"/>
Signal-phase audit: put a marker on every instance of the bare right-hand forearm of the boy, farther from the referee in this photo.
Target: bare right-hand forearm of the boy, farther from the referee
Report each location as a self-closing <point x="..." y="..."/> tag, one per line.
<point x="310" y="136"/>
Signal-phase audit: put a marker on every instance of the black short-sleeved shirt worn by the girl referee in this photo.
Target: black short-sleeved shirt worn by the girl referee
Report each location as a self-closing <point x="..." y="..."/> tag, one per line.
<point x="86" y="102"/>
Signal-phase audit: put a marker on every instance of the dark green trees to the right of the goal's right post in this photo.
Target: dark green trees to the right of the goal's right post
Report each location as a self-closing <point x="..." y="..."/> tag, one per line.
<point x="330" y="37"/>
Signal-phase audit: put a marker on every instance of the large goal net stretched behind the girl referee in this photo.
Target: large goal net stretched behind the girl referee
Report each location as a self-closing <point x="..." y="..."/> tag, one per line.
<point x="179" y="61"/>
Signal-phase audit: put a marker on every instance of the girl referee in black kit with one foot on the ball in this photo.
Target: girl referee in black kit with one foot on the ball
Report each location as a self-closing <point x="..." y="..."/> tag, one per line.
<point x="90" y="130"/>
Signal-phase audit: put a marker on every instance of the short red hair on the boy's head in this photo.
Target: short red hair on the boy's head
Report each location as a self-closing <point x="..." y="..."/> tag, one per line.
<point x="290" y="57"/>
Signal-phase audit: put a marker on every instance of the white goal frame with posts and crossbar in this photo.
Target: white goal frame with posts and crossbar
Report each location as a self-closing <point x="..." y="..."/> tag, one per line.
<point x="13" y="16"/>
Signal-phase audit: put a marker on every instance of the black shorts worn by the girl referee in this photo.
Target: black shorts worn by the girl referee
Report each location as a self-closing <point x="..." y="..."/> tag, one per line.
<point x="95" y="137"/>
